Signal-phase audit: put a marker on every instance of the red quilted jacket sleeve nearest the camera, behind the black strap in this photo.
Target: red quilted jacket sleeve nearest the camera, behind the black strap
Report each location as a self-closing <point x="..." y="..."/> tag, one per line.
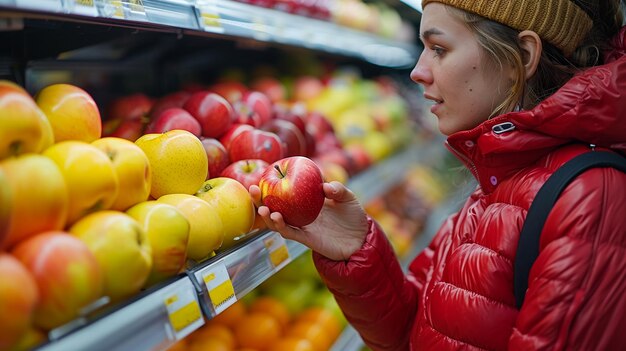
<point x="576" y="298"/>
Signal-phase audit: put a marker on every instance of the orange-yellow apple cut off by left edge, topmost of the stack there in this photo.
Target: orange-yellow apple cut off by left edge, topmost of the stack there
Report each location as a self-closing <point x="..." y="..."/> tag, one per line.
<point x="23" y="126"/>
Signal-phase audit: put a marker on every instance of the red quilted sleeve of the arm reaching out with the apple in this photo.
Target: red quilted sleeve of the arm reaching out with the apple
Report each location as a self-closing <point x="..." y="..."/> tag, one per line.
<point x="378" y="299"/>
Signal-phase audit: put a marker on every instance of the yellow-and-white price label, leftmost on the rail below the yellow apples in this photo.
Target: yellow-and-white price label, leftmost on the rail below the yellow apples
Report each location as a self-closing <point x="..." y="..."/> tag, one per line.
<point x="183" y="310"/>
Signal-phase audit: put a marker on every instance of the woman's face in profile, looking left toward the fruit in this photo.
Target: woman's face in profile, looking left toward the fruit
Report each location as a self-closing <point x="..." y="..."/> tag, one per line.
<point x="454" y="74"/>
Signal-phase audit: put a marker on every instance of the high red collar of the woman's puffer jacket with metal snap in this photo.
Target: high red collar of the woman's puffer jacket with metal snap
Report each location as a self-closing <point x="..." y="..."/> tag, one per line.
<point x="590" y="109"/>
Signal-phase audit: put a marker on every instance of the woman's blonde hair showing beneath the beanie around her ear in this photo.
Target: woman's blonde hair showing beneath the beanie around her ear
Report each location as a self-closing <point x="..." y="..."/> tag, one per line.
<point x="501" y="47"/>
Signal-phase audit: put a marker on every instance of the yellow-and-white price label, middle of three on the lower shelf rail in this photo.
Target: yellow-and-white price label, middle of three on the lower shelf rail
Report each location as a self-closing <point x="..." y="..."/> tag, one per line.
<point x="219" y="286"/>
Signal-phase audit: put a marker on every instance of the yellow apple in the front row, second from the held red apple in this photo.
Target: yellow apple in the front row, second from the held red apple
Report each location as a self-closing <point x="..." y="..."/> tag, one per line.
<point x="206" y="232"/>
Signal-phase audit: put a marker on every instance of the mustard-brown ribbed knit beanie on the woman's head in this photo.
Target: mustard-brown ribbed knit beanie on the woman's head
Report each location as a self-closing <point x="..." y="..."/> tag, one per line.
<point x="562" y="23"/>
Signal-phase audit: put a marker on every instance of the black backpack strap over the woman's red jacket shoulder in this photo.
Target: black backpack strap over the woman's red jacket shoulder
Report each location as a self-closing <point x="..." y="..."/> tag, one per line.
<point x="528" y="246"/>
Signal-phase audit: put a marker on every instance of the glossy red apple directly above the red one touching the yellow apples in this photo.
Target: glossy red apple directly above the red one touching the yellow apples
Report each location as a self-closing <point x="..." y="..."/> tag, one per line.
<point x="212" y="111"/>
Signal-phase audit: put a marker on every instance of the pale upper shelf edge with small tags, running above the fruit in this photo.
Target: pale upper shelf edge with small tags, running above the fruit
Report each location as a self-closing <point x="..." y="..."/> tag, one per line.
<point x="226" y="18"/>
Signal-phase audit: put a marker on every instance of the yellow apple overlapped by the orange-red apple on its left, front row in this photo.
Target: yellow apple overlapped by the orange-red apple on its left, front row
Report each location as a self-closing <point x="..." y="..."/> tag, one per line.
<point x="121" y="249"/>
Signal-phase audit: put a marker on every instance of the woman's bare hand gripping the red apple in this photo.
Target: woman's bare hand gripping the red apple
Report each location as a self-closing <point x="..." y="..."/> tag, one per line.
<point x="337" y="232"/>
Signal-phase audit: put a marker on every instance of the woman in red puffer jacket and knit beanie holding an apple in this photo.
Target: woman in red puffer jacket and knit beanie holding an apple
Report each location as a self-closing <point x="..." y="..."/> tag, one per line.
<point x="518" y="90"/>
